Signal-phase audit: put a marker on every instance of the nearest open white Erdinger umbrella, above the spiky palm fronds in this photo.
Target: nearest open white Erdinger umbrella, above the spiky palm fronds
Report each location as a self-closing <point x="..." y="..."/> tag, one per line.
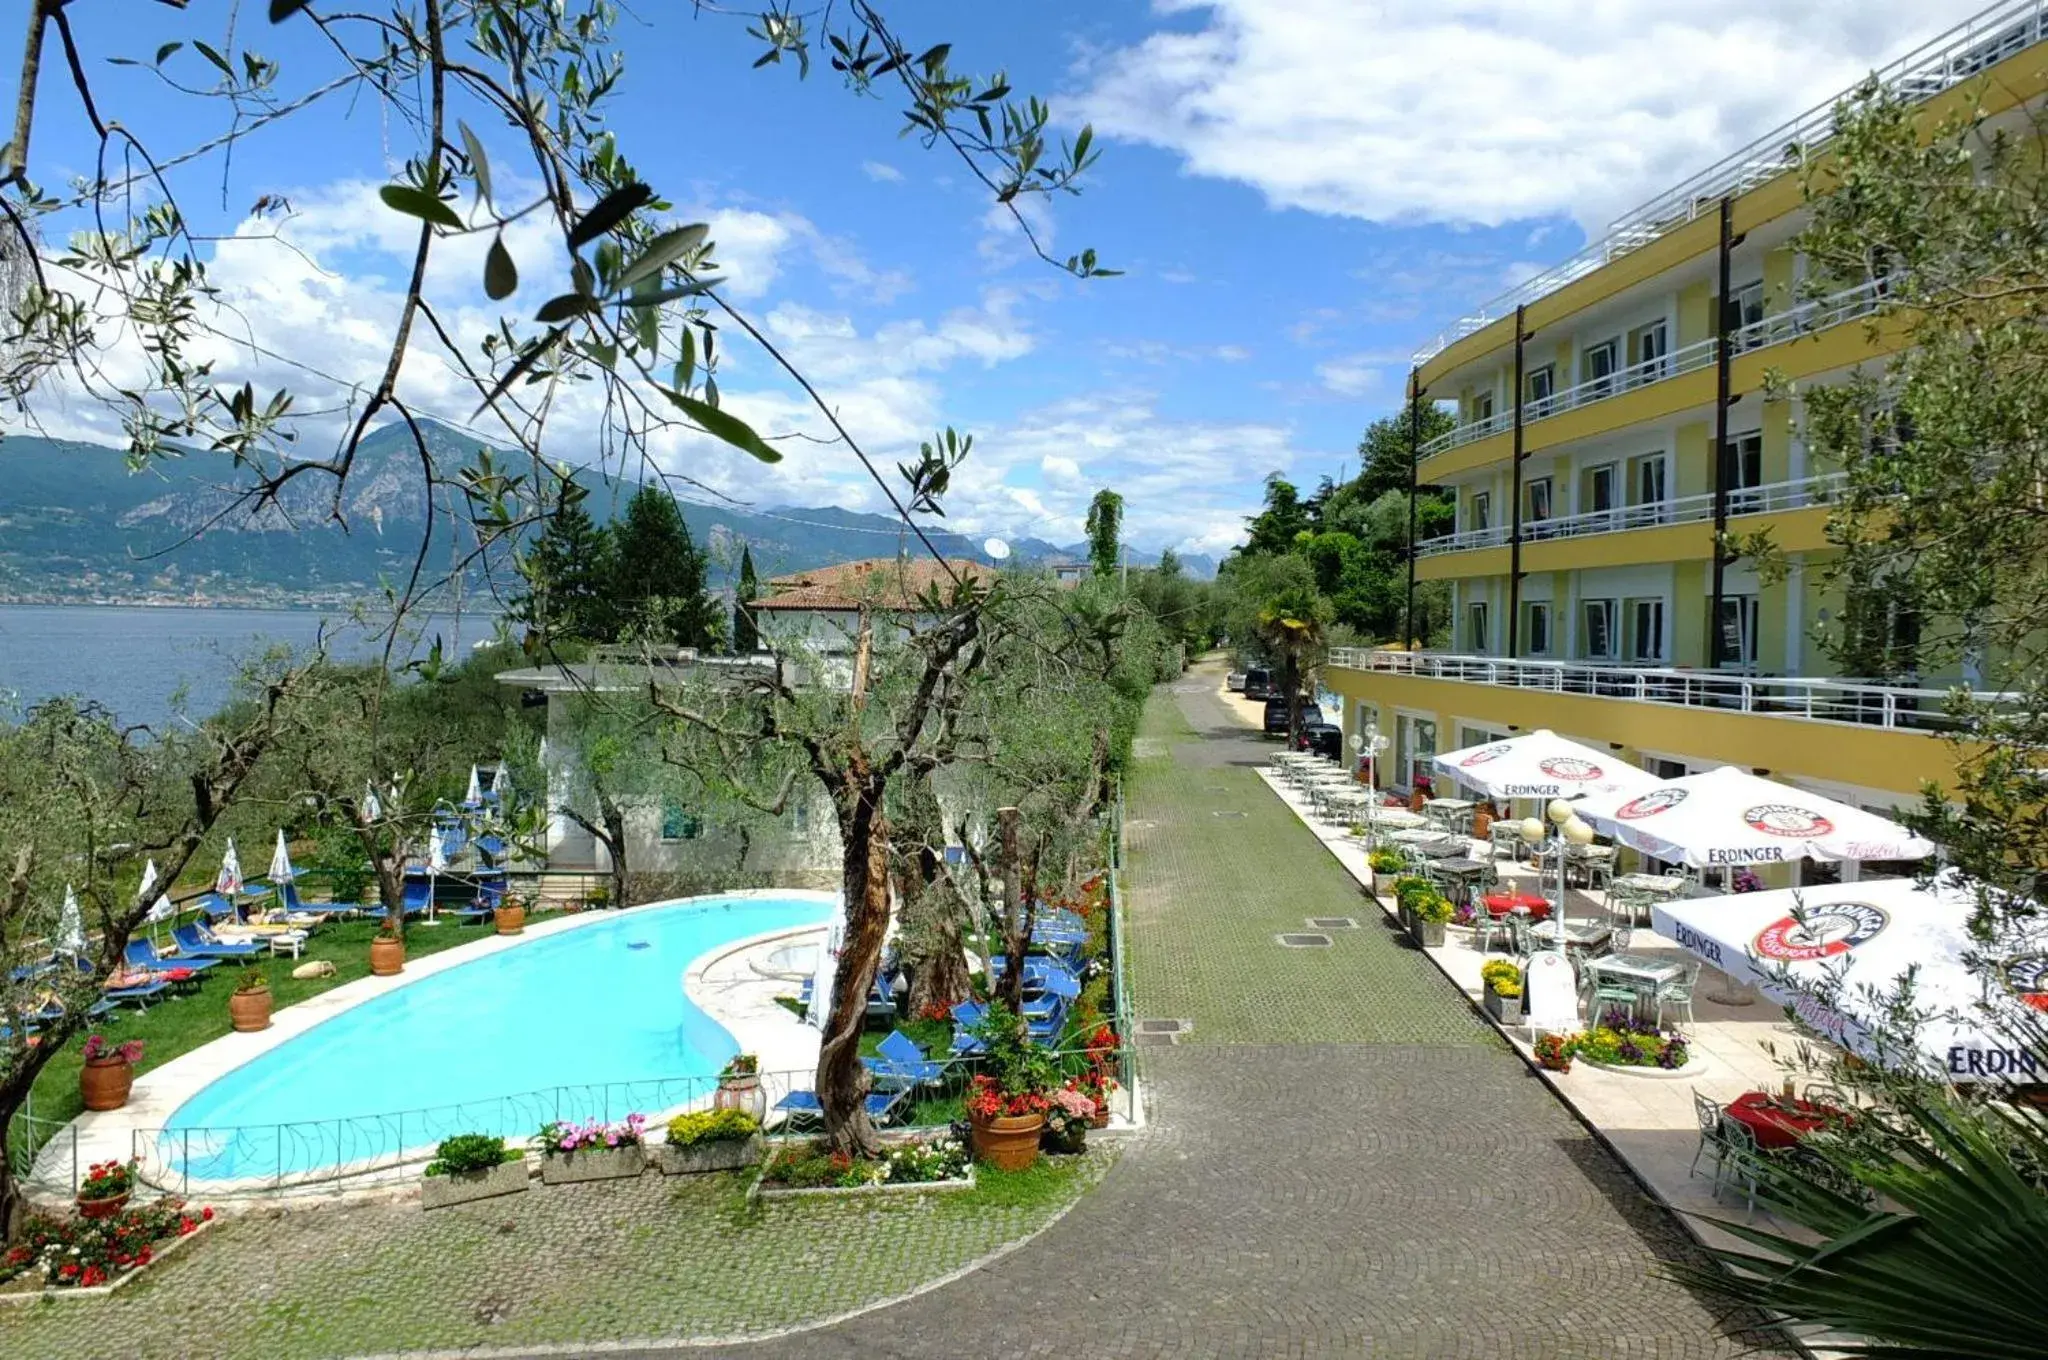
<point x="1857" y="941"/>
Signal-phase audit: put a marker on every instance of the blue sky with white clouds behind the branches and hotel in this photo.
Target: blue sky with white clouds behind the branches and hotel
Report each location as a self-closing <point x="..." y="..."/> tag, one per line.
<point x="1299" y="196"/>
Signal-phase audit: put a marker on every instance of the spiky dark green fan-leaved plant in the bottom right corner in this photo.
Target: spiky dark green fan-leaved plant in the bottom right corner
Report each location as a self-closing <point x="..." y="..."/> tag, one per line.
<point x="1934" y="1246"/>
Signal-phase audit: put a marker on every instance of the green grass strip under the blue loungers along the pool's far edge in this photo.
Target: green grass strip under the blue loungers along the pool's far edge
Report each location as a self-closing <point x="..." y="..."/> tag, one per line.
<point x="173" y="1027"/>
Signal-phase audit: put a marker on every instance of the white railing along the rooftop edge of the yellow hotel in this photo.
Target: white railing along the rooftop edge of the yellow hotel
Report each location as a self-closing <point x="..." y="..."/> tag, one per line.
<point x="1961" y="54"/>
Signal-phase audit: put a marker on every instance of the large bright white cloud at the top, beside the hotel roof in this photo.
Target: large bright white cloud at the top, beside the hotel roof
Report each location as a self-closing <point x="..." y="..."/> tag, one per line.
<point x="1484" y="110"/>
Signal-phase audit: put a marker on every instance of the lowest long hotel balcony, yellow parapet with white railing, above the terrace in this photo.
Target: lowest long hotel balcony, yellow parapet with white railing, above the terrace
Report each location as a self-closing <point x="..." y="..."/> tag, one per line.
<point x="1879" y="736"/>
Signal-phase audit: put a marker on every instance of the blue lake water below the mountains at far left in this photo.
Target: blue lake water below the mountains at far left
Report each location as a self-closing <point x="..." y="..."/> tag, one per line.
<point x="136" y="661"/>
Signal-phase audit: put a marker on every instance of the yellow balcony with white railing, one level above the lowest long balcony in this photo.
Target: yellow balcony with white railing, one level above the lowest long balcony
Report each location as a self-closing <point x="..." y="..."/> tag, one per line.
<point x="1644" y="525"/>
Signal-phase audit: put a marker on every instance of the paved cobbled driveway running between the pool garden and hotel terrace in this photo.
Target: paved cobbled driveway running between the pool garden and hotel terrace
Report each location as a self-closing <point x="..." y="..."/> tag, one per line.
<point x="1342" y="1158"/>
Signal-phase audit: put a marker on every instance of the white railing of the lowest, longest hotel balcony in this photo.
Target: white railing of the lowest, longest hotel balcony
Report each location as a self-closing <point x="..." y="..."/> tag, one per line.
<point x="1852" y="704"/>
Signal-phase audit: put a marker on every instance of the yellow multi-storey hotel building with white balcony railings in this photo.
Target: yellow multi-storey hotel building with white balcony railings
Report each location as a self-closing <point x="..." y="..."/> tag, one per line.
<point x="1584" y="581"/>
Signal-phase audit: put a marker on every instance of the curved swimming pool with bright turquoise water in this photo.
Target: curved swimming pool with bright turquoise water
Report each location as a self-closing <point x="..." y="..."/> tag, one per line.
<point x="589" y="1023"/>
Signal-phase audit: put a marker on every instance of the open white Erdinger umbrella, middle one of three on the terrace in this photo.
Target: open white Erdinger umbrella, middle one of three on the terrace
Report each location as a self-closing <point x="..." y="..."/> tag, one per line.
<point x="1730" y="816"/>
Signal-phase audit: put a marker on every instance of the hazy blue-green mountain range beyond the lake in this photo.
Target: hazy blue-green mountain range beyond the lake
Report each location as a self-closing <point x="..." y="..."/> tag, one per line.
<point x="77" y="525"/>
